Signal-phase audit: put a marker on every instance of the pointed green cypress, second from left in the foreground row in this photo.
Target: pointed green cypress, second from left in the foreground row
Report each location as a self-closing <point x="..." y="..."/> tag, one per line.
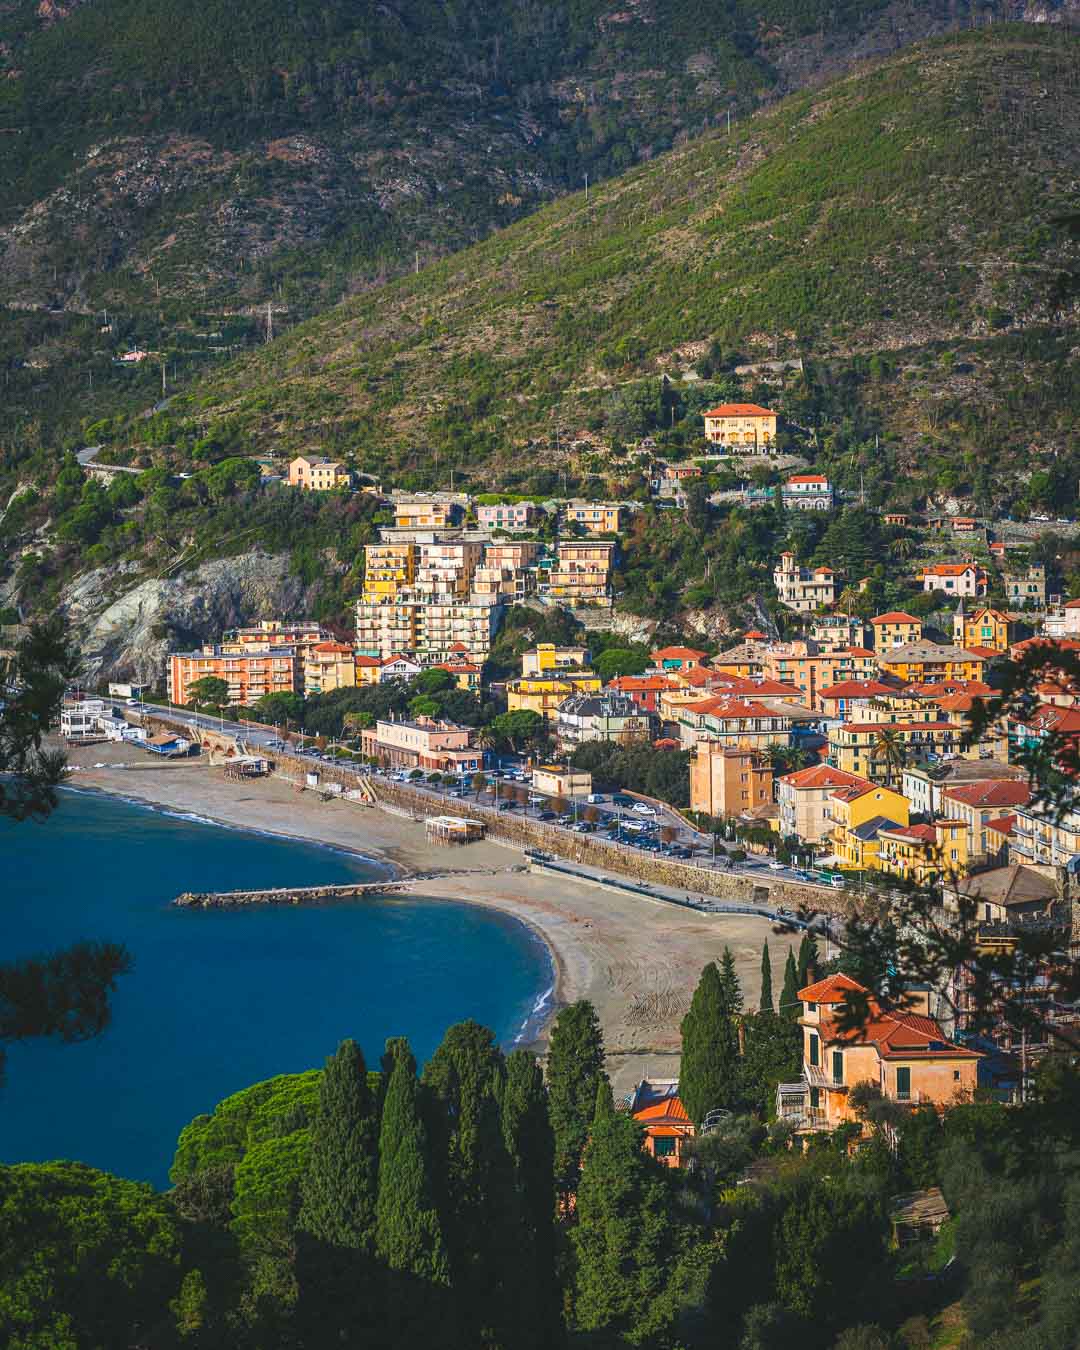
<point x="408" y="1231"/>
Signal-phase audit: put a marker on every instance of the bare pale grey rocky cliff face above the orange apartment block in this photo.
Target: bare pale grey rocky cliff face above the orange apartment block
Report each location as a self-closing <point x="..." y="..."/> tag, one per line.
<point x="129" y="637"/>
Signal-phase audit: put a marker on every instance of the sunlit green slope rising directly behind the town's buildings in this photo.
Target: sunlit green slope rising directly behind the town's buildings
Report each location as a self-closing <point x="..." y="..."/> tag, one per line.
<point x="896" y="229"/>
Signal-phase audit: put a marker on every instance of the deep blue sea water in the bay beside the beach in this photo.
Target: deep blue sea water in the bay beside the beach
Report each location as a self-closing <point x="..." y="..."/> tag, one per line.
<point x="223" y="998"/>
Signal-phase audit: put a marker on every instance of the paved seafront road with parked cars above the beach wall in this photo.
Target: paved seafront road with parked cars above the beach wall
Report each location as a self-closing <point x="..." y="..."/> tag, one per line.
<point x="623" y="826"/>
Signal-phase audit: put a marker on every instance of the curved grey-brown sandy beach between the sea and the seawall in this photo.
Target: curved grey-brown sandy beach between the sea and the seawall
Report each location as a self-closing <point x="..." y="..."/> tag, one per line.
<point x="637" y="961"/>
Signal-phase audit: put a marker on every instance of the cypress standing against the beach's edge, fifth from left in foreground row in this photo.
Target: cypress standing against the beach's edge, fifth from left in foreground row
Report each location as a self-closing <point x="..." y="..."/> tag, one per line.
<point x="576" y="1066"/>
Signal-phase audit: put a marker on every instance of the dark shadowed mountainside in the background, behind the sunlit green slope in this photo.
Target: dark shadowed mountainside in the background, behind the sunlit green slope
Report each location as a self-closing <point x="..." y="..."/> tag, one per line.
<point x="169" y="171"/>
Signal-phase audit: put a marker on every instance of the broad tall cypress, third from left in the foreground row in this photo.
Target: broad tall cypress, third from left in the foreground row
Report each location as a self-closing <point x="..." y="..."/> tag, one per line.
<point x="483" y="1221"/>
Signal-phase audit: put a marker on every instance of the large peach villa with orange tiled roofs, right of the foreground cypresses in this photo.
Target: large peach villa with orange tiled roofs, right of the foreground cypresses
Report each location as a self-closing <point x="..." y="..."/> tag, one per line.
<point x="905" y="1055"/>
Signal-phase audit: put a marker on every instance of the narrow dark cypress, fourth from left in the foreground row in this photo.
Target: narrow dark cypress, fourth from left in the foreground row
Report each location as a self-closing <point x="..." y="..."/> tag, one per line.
<point x="531" y="1145"/>
